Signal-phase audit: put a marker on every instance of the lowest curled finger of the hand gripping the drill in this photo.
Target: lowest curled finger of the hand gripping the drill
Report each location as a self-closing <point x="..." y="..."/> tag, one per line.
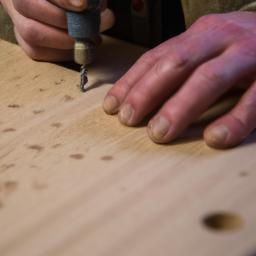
<point x="43" y="53"/>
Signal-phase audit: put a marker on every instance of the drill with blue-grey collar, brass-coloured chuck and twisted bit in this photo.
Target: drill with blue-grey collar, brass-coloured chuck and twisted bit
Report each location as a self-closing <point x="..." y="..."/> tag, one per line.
<point x="83" y="26"/>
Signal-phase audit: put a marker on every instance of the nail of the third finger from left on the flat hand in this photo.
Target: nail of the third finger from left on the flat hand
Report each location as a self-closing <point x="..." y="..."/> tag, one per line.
<point x="159" y="127"/>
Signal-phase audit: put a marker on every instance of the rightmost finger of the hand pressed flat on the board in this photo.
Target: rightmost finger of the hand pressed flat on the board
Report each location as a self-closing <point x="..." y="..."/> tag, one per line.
<point x="231" y="129"/>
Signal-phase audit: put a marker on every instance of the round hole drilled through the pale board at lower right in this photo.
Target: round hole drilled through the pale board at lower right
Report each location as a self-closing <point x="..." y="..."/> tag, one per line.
<point x="223" y="222"/>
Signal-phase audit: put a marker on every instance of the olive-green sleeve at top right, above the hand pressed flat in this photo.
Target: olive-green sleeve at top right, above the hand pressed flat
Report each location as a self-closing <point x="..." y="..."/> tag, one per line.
<point x="194" y="9"/>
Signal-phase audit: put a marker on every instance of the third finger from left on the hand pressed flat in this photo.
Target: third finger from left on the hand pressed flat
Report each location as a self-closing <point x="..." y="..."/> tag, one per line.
<point x="207" y="84"/>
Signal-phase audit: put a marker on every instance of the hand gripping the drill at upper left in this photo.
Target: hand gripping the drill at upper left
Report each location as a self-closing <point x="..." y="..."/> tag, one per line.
<point x="41" y="26"/>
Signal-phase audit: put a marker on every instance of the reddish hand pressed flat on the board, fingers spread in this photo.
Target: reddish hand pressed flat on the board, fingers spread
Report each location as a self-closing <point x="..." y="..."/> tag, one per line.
<point x="188" y="74"/>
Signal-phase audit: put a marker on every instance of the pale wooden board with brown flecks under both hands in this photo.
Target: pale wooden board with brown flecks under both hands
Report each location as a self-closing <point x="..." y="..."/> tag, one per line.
<point x="73" y="181"/>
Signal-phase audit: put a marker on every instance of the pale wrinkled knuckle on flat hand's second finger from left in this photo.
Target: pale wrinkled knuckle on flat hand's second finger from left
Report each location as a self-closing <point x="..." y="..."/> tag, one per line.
<point x="175" y="59"/>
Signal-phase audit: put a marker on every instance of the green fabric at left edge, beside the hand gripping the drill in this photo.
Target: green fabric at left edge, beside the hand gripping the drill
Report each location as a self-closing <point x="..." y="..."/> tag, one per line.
<point x="6" y="28"/>
